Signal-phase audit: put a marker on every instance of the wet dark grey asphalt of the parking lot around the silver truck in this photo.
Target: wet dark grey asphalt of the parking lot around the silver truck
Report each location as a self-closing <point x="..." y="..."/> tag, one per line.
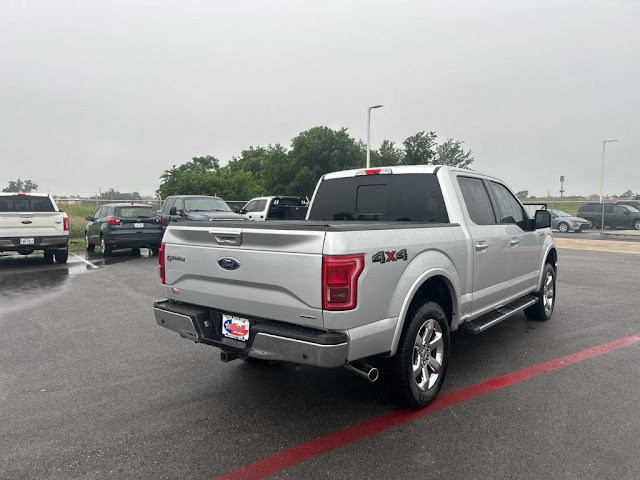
<point x="91" y="387"/>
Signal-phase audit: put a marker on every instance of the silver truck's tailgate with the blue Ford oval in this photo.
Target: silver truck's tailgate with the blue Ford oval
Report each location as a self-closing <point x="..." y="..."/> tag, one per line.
<point x="278" y="274"/>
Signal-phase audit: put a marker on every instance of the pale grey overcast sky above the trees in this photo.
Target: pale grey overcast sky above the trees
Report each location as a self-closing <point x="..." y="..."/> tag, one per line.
<point x="98" y="95"/>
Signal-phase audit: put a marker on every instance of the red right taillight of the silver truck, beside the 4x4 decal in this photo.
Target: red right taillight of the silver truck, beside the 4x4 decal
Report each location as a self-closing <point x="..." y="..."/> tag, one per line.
<point x="340" y="281"/>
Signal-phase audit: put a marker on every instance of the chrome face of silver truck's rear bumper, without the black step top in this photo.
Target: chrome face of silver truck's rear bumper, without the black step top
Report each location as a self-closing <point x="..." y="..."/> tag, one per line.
<point x="263" y="345"/>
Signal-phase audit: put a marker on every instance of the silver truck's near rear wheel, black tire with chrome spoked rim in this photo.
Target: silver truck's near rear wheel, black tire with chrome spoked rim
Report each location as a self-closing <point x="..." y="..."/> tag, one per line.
<point x="417" y="370"/>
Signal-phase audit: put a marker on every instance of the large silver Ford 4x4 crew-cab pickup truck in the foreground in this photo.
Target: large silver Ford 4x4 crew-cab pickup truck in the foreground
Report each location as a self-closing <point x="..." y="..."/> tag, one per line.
<point x="388" y="262"/>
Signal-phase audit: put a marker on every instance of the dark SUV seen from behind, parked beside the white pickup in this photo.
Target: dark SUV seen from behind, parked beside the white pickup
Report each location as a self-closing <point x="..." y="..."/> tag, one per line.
<point x="123" y="225"/>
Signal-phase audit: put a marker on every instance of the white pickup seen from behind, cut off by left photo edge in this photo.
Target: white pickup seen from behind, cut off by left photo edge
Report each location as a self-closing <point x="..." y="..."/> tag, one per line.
<point x="32" y="221"/>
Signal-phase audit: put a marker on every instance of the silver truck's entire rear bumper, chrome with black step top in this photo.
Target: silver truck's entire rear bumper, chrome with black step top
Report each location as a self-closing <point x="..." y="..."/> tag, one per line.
<point x="268" y="340"/>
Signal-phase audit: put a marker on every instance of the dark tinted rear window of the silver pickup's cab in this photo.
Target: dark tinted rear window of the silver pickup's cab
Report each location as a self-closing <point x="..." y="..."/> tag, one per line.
<point x="400" y="197"/>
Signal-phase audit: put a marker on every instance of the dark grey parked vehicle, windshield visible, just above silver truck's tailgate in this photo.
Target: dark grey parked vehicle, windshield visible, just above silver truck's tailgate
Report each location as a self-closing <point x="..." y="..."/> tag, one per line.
<point x="195" y="207"/>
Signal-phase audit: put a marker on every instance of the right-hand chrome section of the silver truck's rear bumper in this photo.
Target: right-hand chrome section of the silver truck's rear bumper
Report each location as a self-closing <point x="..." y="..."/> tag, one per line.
<point x="273" y="347"/>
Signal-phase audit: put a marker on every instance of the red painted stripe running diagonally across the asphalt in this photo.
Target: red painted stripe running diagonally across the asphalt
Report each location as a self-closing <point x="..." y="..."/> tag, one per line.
<point x="293" y="456"/>
